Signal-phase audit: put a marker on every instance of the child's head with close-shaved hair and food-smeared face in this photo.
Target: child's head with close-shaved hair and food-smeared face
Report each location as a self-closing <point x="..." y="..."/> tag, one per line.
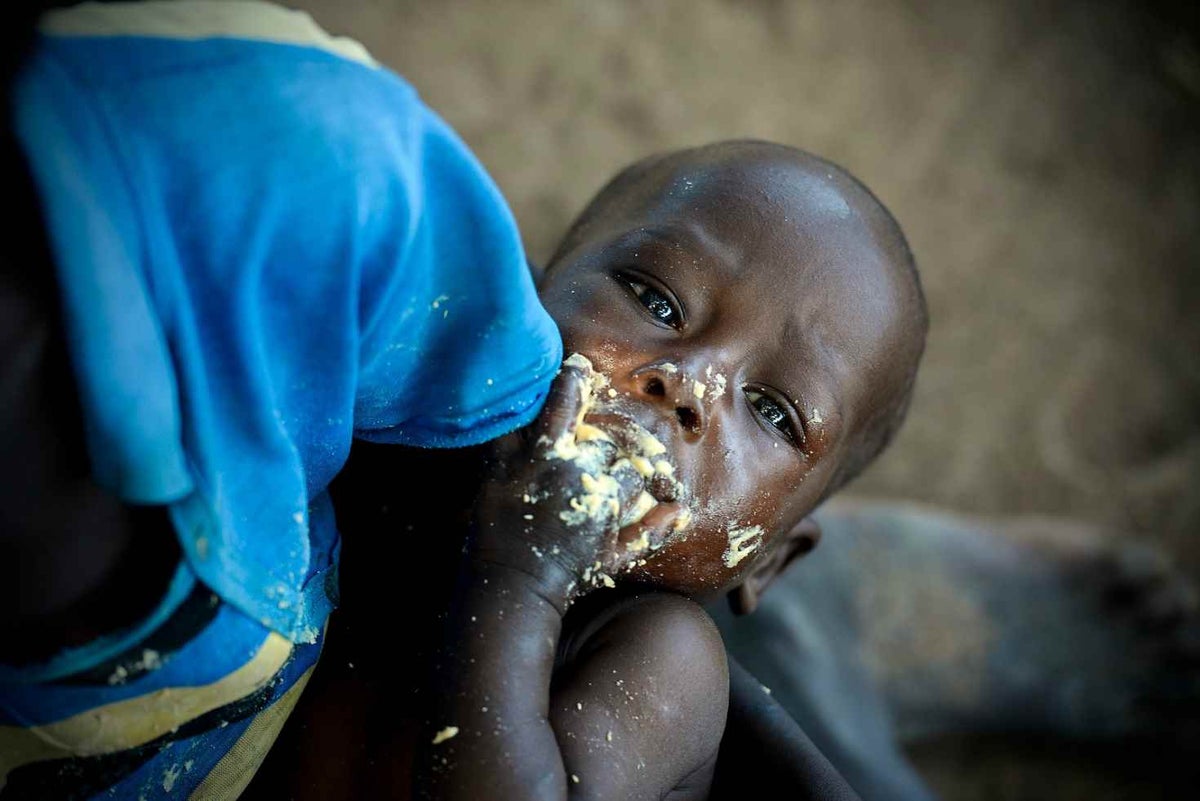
<point x="759" y="312"/>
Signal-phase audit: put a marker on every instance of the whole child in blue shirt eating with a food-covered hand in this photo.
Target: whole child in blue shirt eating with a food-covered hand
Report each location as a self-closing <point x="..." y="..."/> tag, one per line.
<point x="244" y="387"/>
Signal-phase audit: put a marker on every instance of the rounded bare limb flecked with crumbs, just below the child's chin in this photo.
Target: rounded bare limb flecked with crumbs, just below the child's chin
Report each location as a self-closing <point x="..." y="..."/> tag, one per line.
<point x="640" y="698"/>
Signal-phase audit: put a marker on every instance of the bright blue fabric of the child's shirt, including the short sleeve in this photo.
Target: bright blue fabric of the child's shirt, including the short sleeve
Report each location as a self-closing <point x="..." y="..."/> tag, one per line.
<point x="267" y="249"/>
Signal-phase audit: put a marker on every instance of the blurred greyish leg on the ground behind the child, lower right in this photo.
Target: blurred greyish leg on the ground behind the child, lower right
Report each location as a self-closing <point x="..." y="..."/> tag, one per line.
<point x="910" y="623"/>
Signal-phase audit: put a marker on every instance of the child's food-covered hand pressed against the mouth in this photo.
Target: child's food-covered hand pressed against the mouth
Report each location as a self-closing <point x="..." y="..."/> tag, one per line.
<point x="553" y="502"/>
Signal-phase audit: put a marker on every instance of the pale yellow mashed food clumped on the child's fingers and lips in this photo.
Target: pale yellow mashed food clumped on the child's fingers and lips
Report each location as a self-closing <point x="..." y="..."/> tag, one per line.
<point x="635" y="454"/>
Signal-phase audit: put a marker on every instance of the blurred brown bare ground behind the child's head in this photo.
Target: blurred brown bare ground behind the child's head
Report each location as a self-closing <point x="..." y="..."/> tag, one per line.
<point x="1043" y="158"/>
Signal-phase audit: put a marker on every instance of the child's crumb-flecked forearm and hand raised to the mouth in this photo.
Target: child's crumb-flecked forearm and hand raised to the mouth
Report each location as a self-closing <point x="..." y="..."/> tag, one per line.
<point x="490" y="732"/>
